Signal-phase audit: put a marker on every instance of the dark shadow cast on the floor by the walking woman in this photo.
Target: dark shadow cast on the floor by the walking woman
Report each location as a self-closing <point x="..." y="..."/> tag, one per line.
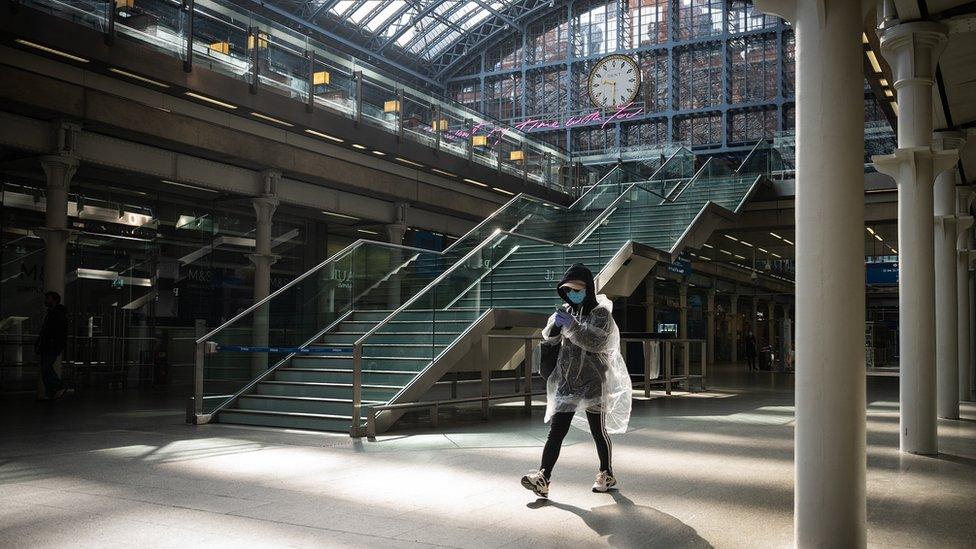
<point x="626" y="524"/>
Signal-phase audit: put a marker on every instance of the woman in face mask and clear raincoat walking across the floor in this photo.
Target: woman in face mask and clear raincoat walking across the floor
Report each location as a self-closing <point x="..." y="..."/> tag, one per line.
<point x="589" y="387"/>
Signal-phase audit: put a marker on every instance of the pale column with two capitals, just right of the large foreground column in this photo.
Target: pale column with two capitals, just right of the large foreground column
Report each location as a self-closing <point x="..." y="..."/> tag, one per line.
<point x="912" y="50"/>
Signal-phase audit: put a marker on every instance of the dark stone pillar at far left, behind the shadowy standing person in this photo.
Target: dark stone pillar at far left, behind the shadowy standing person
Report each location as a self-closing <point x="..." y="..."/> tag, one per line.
<point x="58" y="169"/>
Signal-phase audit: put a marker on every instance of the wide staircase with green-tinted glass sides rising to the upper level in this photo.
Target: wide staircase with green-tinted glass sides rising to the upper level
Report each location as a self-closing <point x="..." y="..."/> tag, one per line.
<point x="403" y="317"/>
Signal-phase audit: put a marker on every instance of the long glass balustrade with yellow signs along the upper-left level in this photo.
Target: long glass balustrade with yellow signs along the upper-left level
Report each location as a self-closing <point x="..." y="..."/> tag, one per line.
<point x="245" y="45"/>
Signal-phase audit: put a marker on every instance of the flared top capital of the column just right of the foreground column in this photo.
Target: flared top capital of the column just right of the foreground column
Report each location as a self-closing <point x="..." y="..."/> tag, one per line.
<point x="912" y="50"/>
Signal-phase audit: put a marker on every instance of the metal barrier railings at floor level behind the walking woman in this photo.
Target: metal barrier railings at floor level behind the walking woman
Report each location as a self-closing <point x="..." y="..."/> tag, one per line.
<point x="651" y="347"/>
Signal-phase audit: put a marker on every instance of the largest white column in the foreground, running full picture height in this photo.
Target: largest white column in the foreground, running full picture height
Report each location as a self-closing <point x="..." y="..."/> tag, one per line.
<point x="829" y="496"/>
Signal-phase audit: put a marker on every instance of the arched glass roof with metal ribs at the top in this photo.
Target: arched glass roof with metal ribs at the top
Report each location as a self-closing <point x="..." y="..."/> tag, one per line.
<point x="427" y="38"/>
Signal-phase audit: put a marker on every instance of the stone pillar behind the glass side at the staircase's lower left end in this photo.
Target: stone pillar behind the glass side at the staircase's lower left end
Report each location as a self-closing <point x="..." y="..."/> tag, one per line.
<point x="264" y="208"/>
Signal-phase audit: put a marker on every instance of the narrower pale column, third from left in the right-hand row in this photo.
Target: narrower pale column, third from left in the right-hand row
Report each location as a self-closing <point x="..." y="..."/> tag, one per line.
<point x="948" y="225"/>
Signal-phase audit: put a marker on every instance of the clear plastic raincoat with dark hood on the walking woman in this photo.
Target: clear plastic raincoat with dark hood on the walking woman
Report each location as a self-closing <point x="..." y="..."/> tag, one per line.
<point x="590" y="372"/>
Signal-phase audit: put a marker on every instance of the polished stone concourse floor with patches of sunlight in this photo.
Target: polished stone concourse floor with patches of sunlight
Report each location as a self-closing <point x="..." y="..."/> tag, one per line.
<point x="711" y="469"/>
